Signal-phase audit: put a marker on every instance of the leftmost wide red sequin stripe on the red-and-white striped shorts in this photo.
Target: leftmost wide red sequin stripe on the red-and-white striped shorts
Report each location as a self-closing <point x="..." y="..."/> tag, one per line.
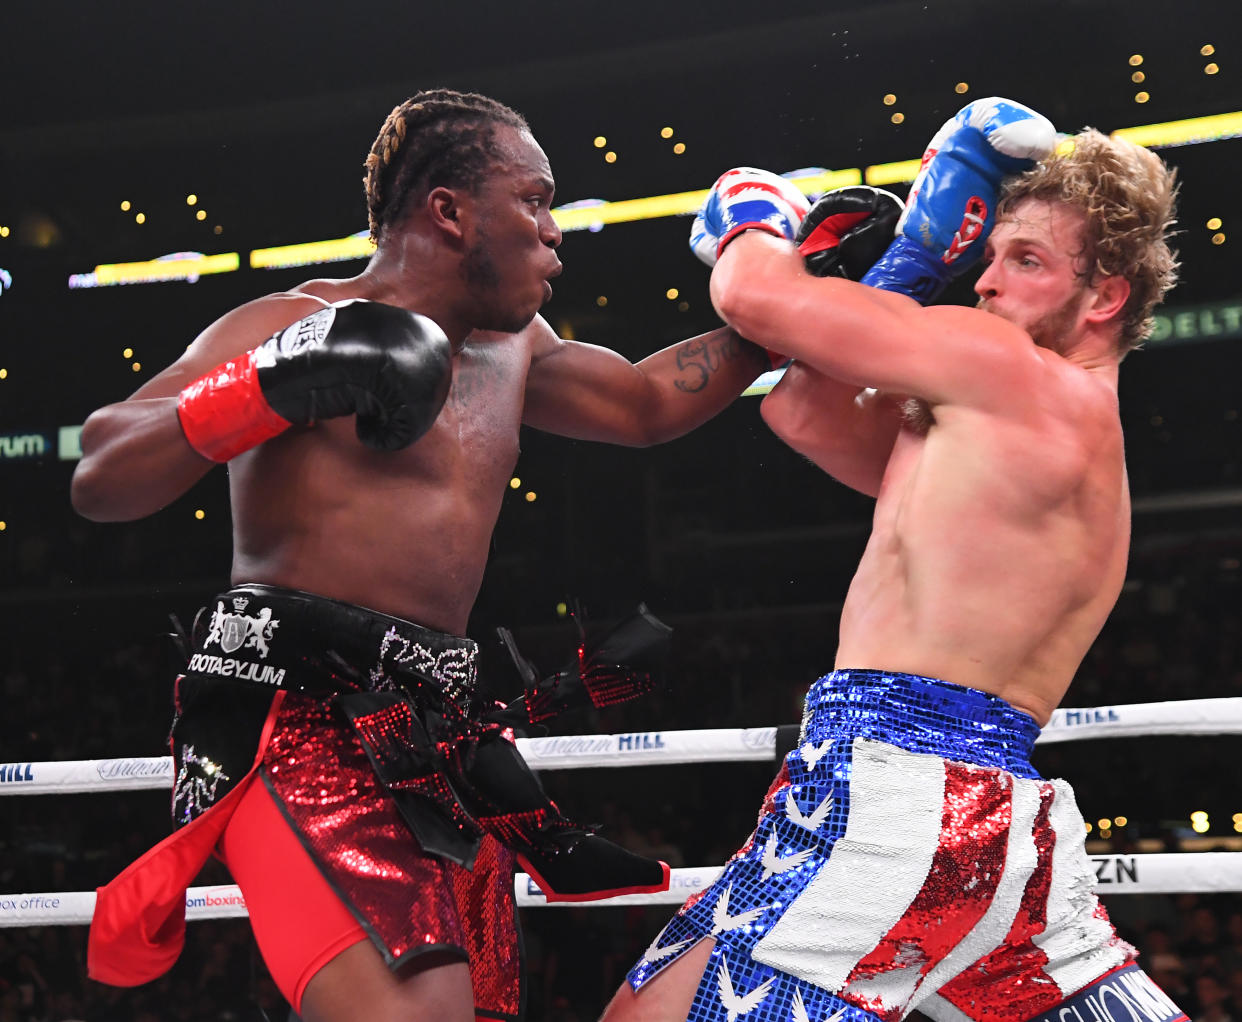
<point x="959" y="887"/>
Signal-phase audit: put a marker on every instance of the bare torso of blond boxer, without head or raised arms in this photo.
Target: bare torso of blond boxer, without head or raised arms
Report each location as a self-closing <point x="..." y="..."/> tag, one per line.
<point x="999" y="542"/>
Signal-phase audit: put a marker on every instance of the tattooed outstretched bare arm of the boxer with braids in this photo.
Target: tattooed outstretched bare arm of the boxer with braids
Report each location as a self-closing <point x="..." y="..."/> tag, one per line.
<point x="589" y="393"/>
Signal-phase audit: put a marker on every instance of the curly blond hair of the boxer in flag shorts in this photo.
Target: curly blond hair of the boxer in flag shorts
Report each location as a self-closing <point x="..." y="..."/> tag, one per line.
<point x="1127" y="197"/>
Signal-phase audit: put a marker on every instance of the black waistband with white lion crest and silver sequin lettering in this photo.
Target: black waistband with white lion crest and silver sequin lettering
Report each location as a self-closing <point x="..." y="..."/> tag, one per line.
<point x="289" y="639"/>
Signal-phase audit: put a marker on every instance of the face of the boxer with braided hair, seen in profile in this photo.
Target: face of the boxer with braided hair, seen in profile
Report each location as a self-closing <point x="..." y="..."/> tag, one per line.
<point x="511" y="248"/>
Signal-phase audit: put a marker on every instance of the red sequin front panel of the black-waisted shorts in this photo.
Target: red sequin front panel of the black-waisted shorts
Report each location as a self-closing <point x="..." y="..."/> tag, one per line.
<point x="410" y="901"/>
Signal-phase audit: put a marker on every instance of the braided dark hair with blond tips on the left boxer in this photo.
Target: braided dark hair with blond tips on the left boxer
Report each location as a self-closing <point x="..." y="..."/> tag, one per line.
<point x="435" y="138"/>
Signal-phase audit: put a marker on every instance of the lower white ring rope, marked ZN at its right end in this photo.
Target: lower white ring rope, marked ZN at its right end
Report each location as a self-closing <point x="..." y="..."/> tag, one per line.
<point x="1164" y="874"/>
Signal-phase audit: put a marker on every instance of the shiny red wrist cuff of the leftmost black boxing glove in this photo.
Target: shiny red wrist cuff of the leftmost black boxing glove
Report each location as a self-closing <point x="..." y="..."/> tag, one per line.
<point x="225" y="413"/>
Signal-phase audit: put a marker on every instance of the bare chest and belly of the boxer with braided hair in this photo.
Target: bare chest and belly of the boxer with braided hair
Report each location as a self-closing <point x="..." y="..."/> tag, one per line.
<point x="406" y="532"/>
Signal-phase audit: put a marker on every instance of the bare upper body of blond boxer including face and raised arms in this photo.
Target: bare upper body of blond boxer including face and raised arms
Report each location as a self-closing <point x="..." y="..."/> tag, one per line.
<point x="1002" y="525"/>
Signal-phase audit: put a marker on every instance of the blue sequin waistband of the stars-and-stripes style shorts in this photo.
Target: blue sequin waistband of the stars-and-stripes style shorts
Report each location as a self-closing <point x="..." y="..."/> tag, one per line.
<point x="922" y="716"/>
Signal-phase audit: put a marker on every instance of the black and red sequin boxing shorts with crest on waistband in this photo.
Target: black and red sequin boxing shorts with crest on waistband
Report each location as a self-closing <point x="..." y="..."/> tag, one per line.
<point x="258" y="641"/>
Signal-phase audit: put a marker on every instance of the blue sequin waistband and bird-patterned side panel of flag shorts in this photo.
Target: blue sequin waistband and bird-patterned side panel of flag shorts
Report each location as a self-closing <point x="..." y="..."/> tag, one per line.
<point x="804" y="816"/>
